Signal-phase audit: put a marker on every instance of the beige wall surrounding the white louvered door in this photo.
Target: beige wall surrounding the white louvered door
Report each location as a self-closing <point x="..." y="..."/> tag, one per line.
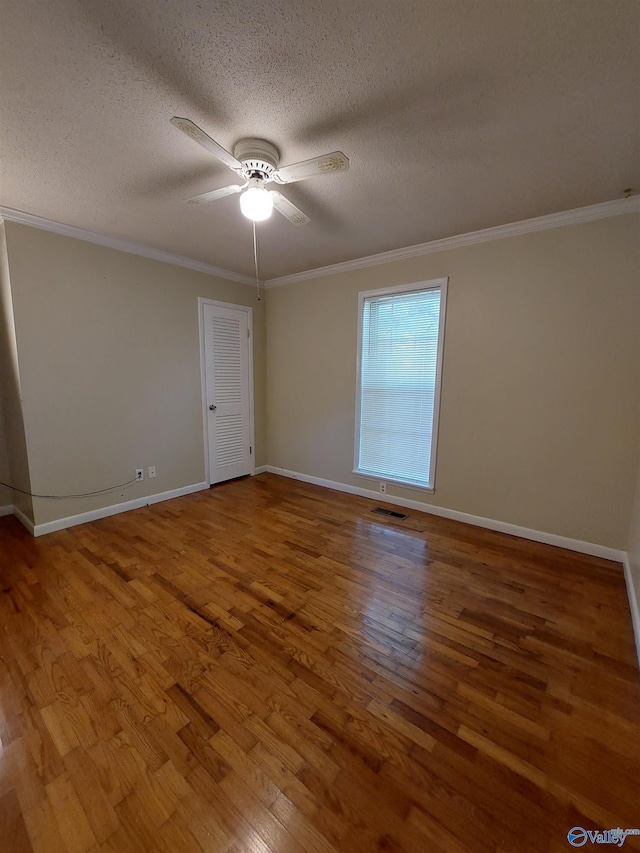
<point x="109" y="354"/>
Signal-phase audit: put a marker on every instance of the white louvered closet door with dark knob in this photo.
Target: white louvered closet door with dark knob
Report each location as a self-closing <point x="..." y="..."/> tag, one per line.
<point x="228" y="399"/>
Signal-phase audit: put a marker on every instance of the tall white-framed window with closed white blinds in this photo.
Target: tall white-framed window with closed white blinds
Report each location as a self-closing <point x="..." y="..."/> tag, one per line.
<point x="400" y="339"/>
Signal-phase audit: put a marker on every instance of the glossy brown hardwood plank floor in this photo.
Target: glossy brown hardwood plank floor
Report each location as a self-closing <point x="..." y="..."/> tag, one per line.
<point x="267" y="666"/>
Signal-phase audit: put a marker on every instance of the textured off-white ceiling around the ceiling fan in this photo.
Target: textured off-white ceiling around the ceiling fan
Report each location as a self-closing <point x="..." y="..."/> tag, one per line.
<point x="456" y="115"/>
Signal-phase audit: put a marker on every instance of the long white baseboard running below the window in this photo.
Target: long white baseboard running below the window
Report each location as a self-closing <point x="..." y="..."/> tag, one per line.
<point x="489" y="523"/>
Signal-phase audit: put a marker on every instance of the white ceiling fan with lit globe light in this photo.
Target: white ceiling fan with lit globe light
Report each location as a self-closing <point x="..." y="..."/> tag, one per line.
<point x="256" y="162"/>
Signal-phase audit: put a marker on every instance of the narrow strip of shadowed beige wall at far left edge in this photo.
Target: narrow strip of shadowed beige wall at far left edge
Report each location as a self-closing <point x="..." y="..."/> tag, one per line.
<point x="12" y="437"/>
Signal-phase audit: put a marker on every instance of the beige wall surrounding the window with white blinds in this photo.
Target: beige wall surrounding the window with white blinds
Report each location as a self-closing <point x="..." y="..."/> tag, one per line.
<point x="541" y="381"/>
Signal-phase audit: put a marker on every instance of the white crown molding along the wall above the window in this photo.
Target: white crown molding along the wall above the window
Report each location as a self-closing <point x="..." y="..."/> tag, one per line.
<point x="513" y="229"/>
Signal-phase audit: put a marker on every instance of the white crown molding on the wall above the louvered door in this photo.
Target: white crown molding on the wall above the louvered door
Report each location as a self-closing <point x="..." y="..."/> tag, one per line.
<point x="120" y="245"/>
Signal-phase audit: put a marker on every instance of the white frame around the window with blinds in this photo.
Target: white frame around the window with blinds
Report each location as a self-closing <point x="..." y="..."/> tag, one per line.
<point x="417" y="286"/>
